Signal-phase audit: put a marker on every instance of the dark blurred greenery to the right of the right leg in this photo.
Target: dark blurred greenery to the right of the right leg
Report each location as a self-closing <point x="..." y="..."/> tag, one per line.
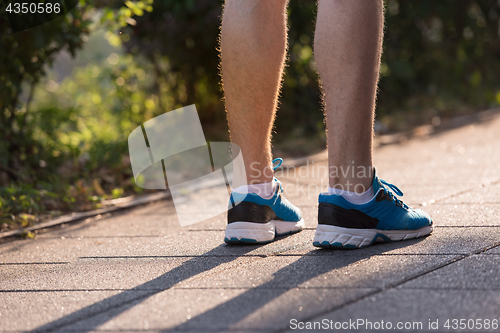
<point x="440" y="59"/>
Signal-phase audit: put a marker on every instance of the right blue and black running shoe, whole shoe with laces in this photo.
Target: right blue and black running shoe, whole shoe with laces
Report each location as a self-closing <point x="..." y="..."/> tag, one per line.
<point x="342" y="224"/>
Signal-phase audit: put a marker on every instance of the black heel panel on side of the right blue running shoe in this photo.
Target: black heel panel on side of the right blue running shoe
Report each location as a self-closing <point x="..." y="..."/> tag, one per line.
<point x="331" y="214"/>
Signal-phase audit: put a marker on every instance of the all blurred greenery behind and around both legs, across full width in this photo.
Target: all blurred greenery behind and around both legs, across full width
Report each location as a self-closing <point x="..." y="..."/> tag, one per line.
<point x="73" y="89"/>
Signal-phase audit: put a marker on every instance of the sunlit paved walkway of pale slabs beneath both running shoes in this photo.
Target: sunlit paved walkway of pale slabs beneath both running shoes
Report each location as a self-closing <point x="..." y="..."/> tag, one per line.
<point x="140" y="270"/>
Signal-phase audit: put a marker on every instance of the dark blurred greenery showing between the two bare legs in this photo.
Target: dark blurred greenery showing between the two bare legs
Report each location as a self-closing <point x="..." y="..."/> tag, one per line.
<point x="300" y="115"/>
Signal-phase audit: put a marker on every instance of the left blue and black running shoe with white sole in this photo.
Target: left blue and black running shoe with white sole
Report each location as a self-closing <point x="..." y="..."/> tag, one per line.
<point x="255" y="220"/>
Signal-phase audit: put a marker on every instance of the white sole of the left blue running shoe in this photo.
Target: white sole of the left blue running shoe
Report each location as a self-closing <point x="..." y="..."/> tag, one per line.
<point x="260" y="233"/>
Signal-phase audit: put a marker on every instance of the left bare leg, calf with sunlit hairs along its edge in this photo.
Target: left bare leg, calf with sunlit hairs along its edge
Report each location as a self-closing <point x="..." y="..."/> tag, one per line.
<point x="253" y="48"/>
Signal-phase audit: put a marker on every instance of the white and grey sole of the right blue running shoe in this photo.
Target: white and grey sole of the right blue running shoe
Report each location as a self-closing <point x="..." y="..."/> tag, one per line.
<point x="328" y="236"/>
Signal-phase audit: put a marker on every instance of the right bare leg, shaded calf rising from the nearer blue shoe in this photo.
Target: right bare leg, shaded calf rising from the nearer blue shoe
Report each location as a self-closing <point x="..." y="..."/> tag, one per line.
<point x="348" y="47"/>
